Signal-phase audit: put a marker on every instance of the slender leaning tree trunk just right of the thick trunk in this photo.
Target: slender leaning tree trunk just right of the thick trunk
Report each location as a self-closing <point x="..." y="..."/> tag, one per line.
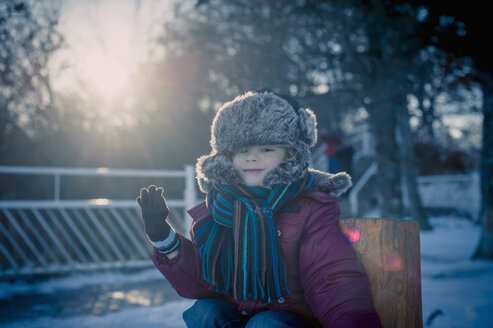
<point x="409" y="172"/>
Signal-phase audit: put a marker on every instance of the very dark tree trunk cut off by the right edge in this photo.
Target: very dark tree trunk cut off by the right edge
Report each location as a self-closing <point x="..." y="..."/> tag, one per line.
<point x="485" y="247"/>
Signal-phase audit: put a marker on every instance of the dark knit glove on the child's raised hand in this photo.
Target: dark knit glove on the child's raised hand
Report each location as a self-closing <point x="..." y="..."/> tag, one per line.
<point x="154" y="213"/>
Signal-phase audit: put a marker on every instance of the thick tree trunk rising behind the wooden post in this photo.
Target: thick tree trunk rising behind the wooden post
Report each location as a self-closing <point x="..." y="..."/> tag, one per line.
<point x="384" y="78"/>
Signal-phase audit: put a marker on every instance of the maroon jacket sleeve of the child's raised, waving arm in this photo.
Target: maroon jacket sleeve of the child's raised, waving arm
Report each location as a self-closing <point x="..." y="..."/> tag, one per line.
<point x="184" y="271"/>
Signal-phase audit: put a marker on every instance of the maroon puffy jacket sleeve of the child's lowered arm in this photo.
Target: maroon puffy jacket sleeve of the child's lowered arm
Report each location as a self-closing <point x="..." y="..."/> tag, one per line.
<point x="335" y="284"/>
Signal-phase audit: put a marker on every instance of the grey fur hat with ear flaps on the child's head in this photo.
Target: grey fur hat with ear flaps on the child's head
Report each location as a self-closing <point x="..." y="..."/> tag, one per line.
<point x="264" y="117"/>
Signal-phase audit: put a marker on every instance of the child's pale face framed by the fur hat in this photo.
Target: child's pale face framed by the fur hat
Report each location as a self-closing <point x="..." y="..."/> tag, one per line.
<point x="254" y="162"/>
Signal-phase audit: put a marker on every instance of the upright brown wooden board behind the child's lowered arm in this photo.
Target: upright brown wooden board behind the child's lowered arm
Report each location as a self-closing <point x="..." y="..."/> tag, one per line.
<point x="389" y="251"/>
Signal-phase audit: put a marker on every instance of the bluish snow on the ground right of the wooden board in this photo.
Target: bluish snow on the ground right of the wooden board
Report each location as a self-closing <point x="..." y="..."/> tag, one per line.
<point x="460" y="288"/>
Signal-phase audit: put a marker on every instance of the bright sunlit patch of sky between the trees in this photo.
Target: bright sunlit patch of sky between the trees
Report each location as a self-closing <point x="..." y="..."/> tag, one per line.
<point x="105" y="43"/>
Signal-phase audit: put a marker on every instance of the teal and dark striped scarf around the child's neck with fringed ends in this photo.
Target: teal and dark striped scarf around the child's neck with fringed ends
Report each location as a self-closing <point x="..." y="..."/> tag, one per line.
<point x="237" y="243"/>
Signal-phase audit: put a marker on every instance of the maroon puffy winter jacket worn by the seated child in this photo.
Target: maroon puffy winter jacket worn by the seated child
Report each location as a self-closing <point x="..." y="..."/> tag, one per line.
<point x="328" y="285"/>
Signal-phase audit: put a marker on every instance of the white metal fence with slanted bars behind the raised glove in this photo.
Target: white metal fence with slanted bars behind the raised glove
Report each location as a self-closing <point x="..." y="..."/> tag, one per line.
<point x="53" y="236"/>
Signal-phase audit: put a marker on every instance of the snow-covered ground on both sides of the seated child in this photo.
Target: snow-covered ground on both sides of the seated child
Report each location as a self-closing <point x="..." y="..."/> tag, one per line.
<point x="459" y="291"/>
